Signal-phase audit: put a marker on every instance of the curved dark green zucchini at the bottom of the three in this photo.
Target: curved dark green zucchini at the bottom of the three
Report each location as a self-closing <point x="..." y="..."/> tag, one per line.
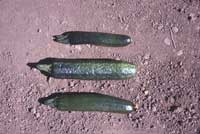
<point x="87" y="102"/>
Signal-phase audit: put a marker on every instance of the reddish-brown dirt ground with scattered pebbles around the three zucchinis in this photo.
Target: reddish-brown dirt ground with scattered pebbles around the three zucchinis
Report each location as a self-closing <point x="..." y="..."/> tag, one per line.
<point x="166" y="50"/>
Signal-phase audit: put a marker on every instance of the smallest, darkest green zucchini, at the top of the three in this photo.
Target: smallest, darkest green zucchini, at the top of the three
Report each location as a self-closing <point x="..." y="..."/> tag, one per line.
<point x="96" y="38"/>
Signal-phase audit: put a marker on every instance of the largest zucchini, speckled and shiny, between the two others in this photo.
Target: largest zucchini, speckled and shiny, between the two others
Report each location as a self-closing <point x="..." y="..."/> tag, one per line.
<point x="85" y="69"/>
